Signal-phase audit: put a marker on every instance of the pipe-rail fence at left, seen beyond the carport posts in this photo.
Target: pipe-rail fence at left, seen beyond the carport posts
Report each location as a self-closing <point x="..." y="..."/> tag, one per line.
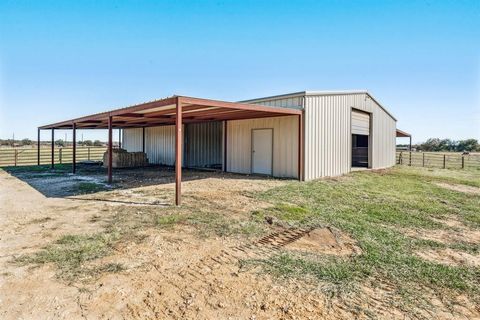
<point x="61" y="155"/>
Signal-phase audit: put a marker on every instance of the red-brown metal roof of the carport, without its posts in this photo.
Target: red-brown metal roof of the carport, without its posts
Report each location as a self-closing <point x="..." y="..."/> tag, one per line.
<point x="163" y="112"/>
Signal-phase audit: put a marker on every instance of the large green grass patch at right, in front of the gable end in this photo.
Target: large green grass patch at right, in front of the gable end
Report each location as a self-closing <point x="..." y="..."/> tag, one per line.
<point x="373" y="208"/>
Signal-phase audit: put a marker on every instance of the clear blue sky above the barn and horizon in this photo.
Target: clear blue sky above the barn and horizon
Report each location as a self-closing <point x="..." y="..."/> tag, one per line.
<point x="63" y="59"/>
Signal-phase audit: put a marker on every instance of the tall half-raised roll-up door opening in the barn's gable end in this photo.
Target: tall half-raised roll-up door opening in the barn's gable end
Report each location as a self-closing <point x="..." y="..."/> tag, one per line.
<point x="360" y="139"/>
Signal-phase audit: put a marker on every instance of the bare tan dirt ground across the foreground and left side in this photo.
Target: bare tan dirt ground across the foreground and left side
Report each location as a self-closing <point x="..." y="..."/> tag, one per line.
<point x="172" y="273"/>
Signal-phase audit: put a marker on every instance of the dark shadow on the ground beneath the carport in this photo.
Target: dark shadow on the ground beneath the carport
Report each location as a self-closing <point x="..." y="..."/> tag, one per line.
<point x="91" y="179"/>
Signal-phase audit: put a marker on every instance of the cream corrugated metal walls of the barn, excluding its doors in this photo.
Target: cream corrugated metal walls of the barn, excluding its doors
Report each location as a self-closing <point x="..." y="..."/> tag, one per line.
<point x="327" y="150"/>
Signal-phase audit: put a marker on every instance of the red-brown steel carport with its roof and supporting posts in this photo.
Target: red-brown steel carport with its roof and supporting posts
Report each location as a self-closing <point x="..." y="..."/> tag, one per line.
<point x="176" y="110"/>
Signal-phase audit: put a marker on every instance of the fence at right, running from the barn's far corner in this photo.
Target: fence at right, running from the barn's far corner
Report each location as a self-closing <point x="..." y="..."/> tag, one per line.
<point x="439" y="160"/>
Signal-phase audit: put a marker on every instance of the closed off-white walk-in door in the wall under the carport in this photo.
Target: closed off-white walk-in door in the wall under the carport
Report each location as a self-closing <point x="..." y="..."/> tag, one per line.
<point x="262" y="148"/>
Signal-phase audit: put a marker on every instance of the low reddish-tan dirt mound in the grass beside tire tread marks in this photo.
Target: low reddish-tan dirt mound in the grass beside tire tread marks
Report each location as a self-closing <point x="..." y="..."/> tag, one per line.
<point x="325" y="241"/>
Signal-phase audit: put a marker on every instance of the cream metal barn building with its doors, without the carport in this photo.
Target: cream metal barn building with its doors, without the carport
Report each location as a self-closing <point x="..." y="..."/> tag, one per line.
<point x="340" y="130"/>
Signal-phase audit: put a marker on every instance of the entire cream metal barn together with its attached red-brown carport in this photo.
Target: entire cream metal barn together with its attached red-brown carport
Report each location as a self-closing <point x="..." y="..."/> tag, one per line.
<point x="303" y="135"/>
